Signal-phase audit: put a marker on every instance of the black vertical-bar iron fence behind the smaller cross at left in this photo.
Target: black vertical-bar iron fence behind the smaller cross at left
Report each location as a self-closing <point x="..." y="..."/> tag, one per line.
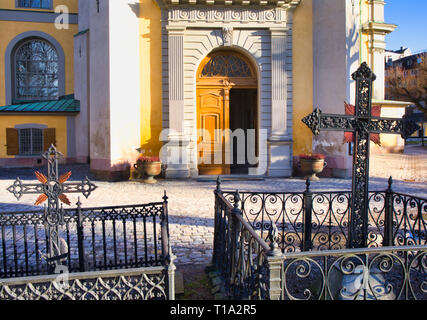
<point x="99" y="238"/>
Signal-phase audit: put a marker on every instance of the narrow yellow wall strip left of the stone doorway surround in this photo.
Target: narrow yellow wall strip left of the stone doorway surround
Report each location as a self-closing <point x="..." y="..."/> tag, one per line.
<point x="151" y="77"/>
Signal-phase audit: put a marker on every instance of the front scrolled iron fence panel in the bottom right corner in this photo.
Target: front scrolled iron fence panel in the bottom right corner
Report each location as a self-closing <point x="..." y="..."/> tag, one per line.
<point x="386" y="273"/>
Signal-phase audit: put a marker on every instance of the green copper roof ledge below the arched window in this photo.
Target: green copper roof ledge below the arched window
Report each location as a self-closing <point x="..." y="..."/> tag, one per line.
<point x="65" y="104"/>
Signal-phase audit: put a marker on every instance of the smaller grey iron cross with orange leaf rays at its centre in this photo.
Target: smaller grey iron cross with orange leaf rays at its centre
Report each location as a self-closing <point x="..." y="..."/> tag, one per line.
<point x="53" y="189"/>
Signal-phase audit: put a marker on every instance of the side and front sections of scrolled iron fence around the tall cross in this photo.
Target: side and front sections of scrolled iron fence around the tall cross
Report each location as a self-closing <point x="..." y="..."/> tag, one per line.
<point x="253" y="266"/>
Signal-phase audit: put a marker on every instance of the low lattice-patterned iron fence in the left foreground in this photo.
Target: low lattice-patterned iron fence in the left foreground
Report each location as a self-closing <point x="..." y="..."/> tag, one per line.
<point x="149" y="283"/>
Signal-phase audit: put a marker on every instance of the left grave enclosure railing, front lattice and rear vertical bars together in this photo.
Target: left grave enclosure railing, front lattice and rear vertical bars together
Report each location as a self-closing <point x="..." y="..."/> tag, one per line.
<point x="112" y="253"/>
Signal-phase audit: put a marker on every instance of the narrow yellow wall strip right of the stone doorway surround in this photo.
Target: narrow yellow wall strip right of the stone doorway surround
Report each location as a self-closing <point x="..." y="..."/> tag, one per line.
<point x="302" y="60"/>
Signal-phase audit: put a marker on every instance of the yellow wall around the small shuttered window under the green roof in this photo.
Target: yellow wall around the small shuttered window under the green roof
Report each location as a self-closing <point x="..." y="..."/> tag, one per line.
<point x="57" y="122"/>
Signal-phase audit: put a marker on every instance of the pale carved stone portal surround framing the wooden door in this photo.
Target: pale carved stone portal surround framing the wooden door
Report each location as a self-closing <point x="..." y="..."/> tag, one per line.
<point x="262" y="34"/>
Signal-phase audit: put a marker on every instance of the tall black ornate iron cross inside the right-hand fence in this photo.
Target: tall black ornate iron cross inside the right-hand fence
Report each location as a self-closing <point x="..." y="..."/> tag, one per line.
<point x="362" y="123"/>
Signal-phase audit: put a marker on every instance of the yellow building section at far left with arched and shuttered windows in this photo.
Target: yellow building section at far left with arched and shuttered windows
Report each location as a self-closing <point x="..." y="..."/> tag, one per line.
<point x="37" y="106"/>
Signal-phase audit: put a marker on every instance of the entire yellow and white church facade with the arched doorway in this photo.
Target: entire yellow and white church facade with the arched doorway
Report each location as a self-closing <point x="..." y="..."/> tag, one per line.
<point x="179" y="79"/>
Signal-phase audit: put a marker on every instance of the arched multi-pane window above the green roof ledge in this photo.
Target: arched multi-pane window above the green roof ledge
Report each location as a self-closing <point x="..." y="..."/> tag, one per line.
<point x="36" y="71"/>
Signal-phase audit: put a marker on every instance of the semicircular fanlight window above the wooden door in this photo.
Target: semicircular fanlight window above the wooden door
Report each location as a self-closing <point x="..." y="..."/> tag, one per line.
<point x="226" y="66"/>
